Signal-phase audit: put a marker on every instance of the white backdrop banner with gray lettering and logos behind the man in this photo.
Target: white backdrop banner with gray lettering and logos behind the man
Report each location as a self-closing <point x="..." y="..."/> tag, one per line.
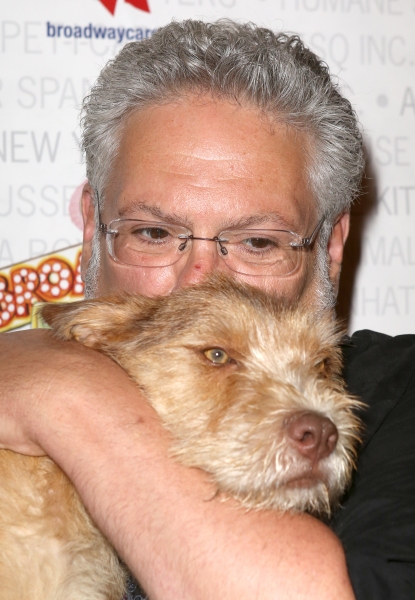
<point x="52" y="51"/>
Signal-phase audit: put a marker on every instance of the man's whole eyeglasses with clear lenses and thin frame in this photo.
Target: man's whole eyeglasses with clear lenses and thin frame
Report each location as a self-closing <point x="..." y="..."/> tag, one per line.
<point x="255" y="252"/>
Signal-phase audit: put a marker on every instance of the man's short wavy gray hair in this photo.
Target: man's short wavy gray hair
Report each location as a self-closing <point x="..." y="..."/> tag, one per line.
<point x="244" y="63"/>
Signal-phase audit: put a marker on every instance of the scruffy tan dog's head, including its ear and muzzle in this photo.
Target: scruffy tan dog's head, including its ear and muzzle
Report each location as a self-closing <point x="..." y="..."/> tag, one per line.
<point x="250" y="390"/>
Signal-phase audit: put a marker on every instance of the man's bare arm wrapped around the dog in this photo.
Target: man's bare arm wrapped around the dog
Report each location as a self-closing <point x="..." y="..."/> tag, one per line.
<point x="178" y="540"/>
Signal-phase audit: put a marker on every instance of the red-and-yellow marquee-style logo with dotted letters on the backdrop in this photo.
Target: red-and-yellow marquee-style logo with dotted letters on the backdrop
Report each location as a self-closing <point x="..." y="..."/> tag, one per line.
<point x="54" y="277"/>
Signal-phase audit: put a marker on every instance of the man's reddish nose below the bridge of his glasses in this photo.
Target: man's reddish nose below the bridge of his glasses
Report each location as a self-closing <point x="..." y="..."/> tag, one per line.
<point x="200" y="260"/>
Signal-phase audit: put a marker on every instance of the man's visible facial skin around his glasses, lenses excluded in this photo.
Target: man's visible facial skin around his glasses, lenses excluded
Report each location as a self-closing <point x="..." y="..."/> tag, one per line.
<point x="209" y="166"/>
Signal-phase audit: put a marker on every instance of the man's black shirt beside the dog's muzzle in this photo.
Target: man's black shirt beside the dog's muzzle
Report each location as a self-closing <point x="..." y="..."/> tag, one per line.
<point x="376" y="522"/>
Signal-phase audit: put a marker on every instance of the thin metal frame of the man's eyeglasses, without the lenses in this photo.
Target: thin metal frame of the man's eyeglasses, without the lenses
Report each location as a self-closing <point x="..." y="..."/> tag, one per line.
<point x="305" y="242"/>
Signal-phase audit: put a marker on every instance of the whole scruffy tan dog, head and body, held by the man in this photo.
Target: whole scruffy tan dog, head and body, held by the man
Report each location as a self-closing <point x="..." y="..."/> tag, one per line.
<point x="251" y="392"/>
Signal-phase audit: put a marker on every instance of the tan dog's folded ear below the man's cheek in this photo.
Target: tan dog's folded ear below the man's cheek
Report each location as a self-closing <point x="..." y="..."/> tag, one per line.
<point x="94" y="323"/>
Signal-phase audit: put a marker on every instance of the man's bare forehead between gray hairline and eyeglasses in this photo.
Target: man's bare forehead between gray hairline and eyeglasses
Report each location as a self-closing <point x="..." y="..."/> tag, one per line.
<point x="194" y="162"/>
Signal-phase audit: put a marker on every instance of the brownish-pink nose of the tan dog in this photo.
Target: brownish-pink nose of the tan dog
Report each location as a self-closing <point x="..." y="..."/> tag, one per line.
<point x="314" y="436"/>
